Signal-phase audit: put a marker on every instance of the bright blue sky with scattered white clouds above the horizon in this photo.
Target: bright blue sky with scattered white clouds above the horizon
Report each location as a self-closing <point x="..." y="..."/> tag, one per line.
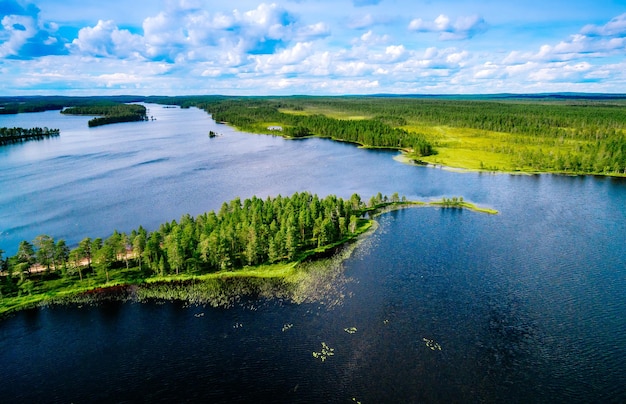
<point x="245" y="47"/>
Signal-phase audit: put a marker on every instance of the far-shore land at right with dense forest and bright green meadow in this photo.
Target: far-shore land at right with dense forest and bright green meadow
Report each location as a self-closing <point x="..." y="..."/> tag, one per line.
<point x="577" y="137"/>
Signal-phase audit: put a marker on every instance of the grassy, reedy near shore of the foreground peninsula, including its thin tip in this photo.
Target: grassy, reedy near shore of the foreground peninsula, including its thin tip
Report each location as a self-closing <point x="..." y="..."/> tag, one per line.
<point x="312" y="276"/>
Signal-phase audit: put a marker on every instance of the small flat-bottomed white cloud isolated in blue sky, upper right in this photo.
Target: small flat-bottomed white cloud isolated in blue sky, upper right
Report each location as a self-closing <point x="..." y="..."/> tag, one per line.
<point x="462" y="28"/>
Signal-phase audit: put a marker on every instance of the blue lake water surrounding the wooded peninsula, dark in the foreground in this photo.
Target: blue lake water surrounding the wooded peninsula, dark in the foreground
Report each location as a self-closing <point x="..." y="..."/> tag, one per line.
<point x="526" y="306"/>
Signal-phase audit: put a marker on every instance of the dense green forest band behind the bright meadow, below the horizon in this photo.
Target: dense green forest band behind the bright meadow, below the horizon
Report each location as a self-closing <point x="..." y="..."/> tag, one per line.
<point x="581" y="119"/>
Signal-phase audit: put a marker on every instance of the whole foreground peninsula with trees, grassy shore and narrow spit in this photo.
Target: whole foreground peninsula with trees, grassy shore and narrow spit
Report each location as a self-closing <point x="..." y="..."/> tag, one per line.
<point x="193" y="258"/>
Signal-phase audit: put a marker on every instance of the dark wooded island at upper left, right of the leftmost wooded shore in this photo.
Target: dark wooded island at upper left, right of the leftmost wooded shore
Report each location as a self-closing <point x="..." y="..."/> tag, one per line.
<point x="109" y="113"/>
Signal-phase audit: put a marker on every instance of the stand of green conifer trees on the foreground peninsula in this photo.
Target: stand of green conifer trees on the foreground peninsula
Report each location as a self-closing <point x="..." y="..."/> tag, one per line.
<point x="241" y="233"/>
